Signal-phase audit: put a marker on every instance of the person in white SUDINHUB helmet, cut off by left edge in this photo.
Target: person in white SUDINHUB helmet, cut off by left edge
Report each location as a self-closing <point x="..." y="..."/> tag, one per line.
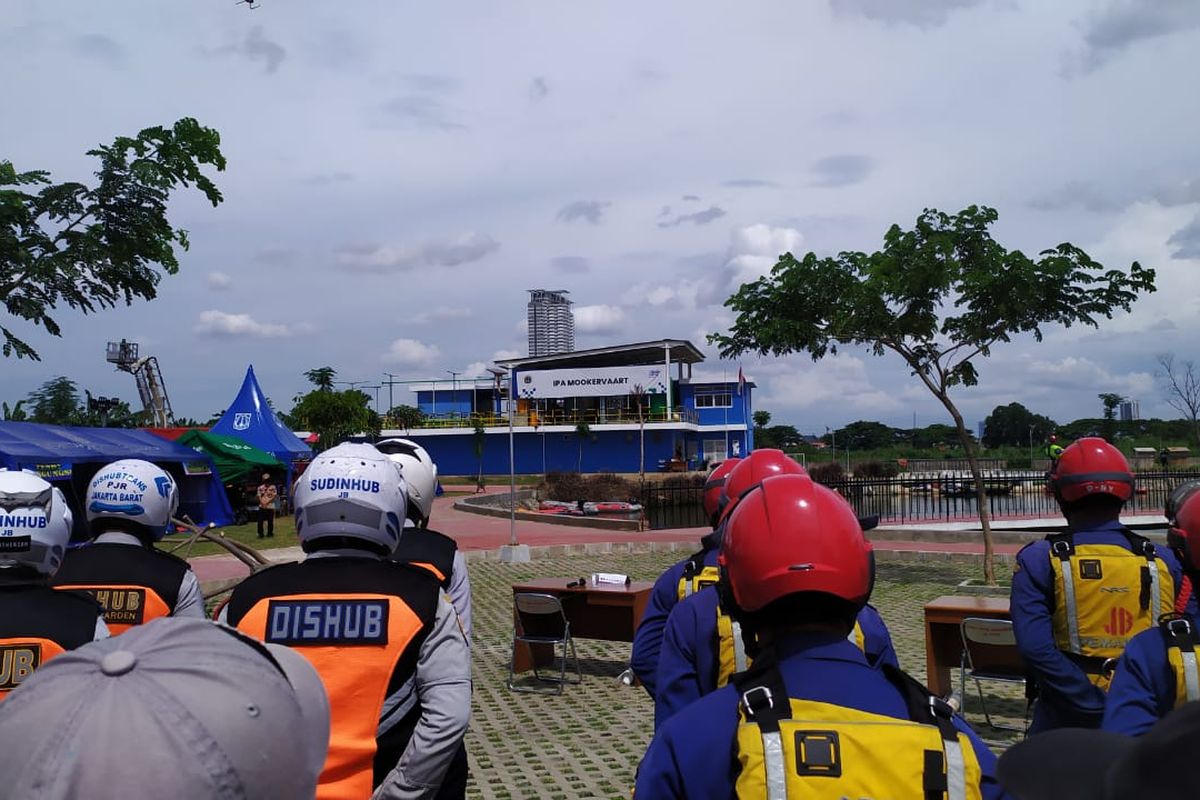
<point x="37" y="623"/>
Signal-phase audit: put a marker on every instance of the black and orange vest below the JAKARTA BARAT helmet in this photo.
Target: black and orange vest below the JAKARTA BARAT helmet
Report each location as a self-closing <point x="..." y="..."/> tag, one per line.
<point x="133" y="585"/>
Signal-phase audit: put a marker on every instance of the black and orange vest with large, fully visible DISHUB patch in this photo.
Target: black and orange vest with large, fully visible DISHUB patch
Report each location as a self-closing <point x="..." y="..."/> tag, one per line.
<point x="359" y="622"/>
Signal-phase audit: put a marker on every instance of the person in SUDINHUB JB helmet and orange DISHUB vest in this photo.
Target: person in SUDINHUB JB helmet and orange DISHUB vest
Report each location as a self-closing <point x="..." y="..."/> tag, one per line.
<point x="382" y="635"/>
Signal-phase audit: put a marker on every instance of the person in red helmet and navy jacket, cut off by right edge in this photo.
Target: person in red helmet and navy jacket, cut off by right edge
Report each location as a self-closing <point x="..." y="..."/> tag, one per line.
<point x="1159" y="672"/>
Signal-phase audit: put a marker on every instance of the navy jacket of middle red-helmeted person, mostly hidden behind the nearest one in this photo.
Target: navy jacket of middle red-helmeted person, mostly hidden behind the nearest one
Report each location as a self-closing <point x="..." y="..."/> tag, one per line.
<point x="689" y="659"/>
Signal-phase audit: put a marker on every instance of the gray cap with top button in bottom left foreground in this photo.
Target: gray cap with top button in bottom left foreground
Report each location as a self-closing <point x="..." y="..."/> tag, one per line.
<point x="177" y="708"/>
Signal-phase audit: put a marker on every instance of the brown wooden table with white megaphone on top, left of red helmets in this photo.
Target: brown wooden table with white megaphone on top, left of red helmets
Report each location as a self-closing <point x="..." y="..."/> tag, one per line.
<point x="601" y="612"/>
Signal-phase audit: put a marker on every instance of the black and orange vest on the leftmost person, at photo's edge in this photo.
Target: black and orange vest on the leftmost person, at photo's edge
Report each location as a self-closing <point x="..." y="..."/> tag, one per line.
<point x="38" y="624"/>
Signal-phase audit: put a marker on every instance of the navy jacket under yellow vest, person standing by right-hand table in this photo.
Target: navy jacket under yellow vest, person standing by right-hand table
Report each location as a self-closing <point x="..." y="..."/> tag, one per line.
<point x="1067" y="699"/>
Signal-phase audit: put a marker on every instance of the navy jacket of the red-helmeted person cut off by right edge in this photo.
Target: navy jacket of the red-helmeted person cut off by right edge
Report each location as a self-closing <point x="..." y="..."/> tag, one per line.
<point x="1143" y="690"/>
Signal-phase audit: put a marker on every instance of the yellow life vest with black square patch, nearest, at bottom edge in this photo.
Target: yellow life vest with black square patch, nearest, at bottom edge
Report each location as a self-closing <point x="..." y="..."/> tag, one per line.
<point x="809" y="749"/>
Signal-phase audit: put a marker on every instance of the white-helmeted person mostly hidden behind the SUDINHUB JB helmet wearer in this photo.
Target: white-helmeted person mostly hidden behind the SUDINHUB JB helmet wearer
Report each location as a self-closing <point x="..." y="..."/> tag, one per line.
<point x="427" y="549"/>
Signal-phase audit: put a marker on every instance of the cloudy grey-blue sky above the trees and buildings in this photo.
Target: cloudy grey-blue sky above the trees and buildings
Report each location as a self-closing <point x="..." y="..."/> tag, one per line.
<point x="401" y="173"/>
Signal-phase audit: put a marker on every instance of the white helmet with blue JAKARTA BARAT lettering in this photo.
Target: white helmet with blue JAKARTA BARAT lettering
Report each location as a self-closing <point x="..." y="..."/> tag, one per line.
<point x="133" y="496"/>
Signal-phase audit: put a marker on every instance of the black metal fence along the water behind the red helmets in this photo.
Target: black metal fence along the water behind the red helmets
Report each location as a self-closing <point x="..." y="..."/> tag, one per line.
<point x="928" y="498"/>
